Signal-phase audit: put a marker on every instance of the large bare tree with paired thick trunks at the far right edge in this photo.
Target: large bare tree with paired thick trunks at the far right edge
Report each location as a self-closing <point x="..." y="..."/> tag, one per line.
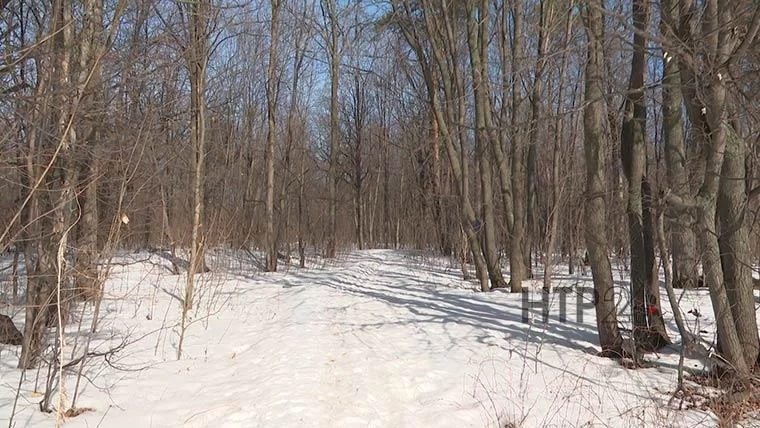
<point x="705" y="29"/>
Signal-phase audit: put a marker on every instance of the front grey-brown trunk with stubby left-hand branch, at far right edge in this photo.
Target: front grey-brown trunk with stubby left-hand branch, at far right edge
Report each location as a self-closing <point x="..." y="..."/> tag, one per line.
<point x="706" y="97"/>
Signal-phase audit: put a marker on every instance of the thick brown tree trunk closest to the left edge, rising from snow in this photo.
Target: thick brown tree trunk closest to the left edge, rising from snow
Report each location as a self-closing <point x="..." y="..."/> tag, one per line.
<point x="47" y="272"/>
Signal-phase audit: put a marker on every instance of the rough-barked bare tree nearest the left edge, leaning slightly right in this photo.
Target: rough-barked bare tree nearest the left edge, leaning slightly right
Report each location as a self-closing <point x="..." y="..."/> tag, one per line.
<point x="42" y="260"/>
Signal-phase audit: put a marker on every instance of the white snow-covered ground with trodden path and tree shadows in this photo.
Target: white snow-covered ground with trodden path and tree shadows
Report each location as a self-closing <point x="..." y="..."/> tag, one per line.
<point x="377" y="338"/>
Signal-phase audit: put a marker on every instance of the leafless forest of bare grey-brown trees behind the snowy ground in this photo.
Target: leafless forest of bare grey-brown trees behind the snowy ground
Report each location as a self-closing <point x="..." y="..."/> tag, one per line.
<point x="514" y="136"/>
